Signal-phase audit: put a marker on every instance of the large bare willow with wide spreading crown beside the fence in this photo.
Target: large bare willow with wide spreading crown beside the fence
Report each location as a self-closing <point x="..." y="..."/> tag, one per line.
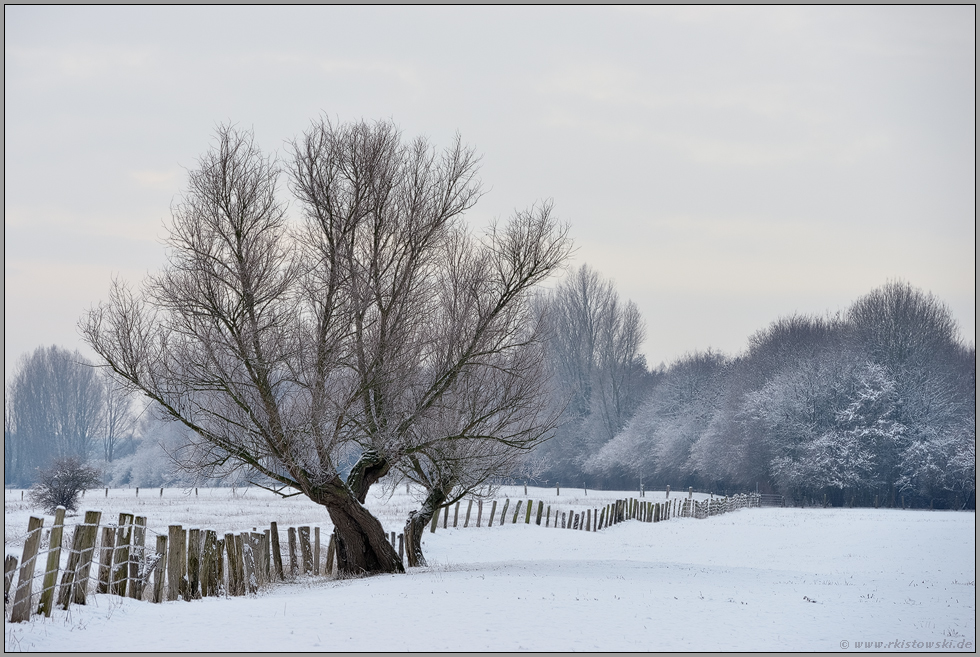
<point x="379" y="326"/>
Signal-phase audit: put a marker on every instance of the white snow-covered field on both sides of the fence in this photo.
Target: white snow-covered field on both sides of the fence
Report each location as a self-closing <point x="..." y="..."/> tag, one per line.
<point x="755" y="579"/>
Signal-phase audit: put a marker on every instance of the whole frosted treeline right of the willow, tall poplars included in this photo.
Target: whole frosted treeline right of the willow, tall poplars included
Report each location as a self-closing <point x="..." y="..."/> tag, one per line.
<point x="875" y="403"/>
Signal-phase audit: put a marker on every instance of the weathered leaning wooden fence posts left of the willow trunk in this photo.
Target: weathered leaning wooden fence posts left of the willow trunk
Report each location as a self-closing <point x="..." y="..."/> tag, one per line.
<point x="182" y="564"/>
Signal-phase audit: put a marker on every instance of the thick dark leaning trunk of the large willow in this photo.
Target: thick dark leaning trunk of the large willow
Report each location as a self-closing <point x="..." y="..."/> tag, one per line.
<point x="362" y="544"/>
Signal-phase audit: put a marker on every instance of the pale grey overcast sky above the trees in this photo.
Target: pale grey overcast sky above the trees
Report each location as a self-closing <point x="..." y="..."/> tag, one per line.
<point x="724" y="166"/>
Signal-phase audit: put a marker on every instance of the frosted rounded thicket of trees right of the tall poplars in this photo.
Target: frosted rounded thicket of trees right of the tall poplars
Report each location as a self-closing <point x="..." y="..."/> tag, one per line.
<point x="878" y="403"/>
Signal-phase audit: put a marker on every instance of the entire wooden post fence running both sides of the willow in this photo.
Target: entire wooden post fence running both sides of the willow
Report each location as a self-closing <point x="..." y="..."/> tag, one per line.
<point x="188" y="564"/>
